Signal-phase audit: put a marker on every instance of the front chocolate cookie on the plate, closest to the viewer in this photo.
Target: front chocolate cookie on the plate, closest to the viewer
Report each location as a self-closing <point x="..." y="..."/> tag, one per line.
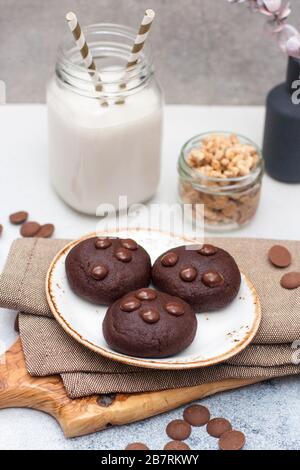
<point x="148" y="323"/>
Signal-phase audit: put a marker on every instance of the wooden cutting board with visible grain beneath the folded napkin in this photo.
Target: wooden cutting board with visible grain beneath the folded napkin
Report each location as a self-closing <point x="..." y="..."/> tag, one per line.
<point x="87" y="415"/>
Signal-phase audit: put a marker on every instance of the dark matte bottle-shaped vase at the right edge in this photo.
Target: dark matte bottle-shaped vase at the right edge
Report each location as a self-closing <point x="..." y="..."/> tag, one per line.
<point x="281" y="146"/>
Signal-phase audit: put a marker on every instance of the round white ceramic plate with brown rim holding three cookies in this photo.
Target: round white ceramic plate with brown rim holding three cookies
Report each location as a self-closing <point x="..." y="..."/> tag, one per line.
<point x="220" y="334"/>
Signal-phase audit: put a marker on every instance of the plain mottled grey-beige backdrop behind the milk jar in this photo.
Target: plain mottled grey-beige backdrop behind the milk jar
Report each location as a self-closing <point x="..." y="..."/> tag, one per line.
<point x="207" y="51"/>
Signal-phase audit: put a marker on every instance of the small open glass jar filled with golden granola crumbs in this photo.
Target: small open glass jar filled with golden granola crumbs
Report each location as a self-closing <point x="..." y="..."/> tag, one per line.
<point x="220" y="175"/>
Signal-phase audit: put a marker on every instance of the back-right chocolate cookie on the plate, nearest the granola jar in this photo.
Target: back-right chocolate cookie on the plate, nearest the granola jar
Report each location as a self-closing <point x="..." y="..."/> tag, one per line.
<point x="207" y="278"/>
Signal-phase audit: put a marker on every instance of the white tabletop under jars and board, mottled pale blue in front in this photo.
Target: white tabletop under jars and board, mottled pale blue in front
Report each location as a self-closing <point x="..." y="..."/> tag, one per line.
<point x="24" y="185"/>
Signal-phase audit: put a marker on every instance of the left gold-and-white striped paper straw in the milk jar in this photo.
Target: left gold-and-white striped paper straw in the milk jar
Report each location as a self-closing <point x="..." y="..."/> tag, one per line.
<point x="84" y="49"/>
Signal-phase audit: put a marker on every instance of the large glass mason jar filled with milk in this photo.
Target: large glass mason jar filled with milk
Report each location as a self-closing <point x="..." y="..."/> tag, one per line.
<point x="104" y="142"/>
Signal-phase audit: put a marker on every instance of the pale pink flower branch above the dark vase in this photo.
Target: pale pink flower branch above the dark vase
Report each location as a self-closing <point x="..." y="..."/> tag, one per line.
<point x="277" y="12"/>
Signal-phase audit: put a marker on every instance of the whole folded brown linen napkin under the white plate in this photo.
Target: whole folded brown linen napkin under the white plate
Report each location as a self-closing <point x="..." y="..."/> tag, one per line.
<point x="49" y="350"/>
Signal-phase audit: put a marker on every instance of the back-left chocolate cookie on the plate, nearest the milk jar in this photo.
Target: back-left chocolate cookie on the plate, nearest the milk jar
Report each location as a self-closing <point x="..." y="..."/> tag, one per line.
<point x="102" y="270"/>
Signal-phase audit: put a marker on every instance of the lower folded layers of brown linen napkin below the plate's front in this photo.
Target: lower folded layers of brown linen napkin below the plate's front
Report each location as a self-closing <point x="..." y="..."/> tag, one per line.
<point x="49" y="350"/>
